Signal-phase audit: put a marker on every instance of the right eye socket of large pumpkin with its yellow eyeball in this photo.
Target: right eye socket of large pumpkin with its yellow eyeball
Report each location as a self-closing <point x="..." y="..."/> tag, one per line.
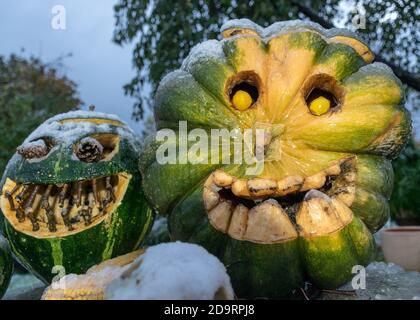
<point x="323" y="94"/>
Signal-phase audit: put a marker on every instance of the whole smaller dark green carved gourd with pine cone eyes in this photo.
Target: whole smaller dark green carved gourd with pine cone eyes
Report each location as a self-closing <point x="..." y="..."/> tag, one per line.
<point x="71" y="195"/>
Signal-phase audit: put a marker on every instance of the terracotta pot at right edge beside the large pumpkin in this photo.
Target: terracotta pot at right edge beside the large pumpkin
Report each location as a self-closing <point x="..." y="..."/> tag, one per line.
<point x="401" y="245"/>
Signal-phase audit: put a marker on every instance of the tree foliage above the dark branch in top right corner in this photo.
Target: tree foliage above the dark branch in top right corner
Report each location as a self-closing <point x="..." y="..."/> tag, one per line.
<point x="392" y="27"/>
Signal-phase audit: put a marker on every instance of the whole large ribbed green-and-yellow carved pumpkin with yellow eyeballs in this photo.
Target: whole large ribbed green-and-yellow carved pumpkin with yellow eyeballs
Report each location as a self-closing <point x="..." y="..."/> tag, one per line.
<point x="332" y="122"/>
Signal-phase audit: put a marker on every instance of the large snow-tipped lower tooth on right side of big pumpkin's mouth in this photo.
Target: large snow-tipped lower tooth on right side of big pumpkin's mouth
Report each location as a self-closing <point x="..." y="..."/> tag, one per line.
<point x="321" y="215"/>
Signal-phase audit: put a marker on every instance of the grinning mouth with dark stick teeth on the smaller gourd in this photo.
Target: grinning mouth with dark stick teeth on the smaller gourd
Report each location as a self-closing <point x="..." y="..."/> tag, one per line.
<point x="51" y="210"/>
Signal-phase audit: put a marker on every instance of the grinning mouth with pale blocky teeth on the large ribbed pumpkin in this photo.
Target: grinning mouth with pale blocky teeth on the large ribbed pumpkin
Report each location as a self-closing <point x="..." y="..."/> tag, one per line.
<point x="270" y="211"/>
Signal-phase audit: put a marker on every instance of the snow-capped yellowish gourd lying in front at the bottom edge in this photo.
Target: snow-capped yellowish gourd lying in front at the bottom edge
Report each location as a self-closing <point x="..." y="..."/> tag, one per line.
<point x="165" y="271"/>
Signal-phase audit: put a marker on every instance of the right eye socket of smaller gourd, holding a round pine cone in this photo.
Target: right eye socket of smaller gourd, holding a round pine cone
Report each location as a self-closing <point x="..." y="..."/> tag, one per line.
<point x="101" y="147"/>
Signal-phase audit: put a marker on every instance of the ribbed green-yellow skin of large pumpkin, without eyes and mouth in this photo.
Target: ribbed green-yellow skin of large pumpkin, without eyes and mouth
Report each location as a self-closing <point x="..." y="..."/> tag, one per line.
<point x="285" y="57"/>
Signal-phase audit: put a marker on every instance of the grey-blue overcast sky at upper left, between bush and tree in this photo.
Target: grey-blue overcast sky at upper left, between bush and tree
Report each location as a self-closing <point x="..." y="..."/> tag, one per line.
<point x="98" y="66"/>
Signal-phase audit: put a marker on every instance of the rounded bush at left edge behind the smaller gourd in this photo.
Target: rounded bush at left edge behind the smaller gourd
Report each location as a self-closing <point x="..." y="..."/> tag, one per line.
<point x="30" y="93"/>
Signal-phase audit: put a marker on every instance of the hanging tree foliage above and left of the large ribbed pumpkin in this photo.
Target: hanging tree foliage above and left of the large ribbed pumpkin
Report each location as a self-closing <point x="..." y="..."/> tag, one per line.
<point x="165" y="31"/>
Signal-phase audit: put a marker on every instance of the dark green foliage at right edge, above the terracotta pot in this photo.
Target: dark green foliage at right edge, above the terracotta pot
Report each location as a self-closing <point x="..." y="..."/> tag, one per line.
<point x="405" y="199"/>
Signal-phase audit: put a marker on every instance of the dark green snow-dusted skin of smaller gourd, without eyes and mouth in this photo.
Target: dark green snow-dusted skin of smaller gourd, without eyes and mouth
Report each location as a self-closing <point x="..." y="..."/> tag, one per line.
<point x="121" y="232"/>
